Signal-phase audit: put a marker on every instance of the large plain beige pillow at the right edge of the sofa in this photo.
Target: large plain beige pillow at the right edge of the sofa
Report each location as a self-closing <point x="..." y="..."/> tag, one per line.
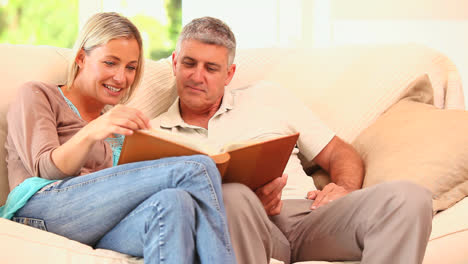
<point x="420" y="143"/>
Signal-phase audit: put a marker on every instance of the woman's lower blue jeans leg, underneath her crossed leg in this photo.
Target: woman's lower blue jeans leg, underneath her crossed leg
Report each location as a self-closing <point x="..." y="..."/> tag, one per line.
<point x="149" y="232"/>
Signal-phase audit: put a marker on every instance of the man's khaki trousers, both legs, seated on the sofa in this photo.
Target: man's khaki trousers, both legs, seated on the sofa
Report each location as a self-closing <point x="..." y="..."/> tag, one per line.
<point x="386" y="223"/>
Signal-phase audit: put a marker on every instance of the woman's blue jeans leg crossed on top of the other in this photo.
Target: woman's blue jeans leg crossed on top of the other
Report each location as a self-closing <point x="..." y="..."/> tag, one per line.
<point x="85" y="208"/>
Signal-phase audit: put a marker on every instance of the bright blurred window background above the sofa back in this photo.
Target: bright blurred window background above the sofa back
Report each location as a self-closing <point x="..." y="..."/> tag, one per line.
<point x="439" y="24"/>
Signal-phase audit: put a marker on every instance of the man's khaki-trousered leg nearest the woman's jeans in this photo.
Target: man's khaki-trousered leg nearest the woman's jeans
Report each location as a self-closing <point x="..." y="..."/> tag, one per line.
<point x="255" y="239"/>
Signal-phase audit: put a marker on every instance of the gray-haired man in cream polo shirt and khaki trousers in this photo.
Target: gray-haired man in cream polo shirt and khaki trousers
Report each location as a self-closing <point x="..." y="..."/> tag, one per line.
<point x="387" y="223"/>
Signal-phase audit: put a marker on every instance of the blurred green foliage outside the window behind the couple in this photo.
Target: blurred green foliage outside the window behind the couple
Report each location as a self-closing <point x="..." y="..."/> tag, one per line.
<point x="55" y="22"/>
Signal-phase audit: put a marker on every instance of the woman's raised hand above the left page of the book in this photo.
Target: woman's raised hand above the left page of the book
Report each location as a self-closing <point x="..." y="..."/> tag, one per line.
<point x="119" y="120"/>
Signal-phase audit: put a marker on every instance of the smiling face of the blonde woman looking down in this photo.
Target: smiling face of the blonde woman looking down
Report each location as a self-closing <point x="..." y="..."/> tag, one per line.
<point x="107" y="71"/>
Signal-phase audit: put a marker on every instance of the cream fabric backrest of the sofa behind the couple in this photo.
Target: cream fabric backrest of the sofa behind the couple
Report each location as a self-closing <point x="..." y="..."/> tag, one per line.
<point x="343" y="85"/>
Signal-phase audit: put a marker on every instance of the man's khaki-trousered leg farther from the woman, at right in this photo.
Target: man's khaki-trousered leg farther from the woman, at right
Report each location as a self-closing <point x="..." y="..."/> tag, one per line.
<point x="386" y="223"/>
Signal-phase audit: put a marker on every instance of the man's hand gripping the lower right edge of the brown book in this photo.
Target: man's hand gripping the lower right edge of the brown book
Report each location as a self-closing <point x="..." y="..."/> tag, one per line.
<point x="270" y="195"/>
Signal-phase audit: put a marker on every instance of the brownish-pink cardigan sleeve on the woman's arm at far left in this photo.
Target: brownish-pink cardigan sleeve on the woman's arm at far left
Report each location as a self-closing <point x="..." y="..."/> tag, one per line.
<point x="32" y="128"/>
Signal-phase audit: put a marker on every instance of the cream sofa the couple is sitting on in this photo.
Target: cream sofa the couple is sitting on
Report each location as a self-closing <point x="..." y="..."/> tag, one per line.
<point x="348" y="87"/>
